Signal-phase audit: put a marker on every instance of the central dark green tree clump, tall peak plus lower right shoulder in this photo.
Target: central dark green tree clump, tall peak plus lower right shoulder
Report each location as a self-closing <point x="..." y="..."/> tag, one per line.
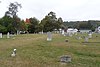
<point x="50" y="22"/>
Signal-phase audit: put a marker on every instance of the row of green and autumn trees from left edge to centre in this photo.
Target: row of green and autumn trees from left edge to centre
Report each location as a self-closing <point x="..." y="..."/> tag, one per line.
<point x="10" y="22"/>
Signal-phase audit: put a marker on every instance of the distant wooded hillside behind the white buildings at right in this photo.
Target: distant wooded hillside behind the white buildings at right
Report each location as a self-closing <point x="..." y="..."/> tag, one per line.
<point x="90" y="24"/>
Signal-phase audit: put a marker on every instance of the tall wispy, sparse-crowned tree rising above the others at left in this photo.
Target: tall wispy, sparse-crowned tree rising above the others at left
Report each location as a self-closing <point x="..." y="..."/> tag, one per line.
<point x="12" y="12"/>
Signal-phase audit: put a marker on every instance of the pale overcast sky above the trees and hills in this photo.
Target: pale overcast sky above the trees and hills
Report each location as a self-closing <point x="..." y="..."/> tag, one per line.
<point x="68" y="10"/>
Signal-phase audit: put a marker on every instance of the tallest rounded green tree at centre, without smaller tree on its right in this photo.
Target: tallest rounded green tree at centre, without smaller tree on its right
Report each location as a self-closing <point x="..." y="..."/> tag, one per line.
<point x="49" y="22"/>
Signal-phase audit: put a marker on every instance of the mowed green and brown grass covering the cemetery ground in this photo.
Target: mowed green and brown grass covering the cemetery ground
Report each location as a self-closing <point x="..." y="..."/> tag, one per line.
<point x="33" y="50"/>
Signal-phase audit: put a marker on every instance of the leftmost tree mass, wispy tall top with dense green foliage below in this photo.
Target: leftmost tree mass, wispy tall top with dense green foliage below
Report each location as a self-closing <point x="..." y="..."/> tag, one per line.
<point x="10" y="22"/>
